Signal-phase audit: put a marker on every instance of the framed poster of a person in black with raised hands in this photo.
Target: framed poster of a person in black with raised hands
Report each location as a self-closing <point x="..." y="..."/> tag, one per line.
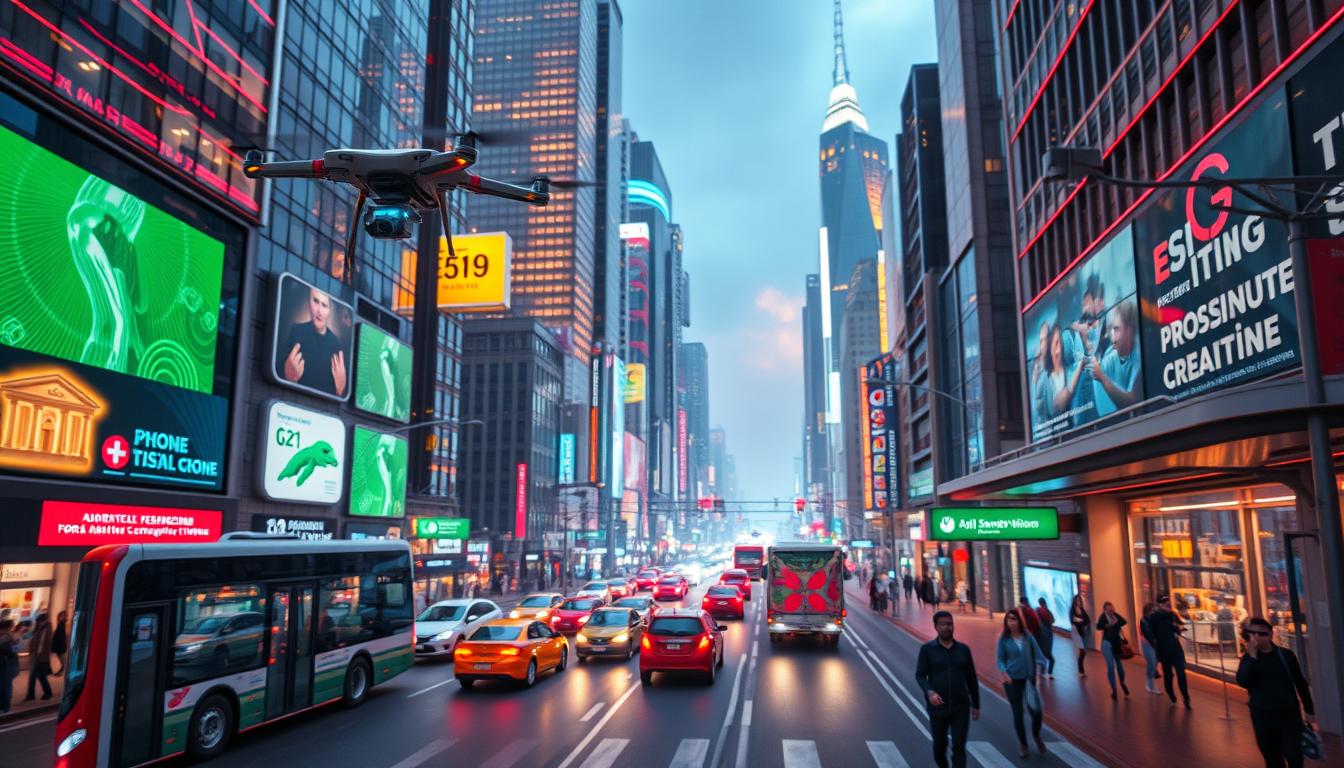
<point x="314" y="340"/>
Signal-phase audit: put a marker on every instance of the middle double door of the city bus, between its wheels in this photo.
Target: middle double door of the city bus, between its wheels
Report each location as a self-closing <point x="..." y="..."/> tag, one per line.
<point x="290" y="662"/>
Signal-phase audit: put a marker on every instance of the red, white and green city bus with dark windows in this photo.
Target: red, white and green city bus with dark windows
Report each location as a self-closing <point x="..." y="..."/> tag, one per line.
<point x="174" y="649"/>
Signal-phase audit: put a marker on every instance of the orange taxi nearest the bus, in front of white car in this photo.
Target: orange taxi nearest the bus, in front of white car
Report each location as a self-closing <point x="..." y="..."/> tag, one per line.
<point x="510" y="649"/>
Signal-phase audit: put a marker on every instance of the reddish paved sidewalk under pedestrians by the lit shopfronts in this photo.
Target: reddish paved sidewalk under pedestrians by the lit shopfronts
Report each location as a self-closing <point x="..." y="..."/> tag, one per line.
<point x="1143" y="730"/>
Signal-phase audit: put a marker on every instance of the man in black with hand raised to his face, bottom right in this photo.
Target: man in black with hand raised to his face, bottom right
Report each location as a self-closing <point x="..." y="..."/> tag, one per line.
<point x="1279" y="696"/>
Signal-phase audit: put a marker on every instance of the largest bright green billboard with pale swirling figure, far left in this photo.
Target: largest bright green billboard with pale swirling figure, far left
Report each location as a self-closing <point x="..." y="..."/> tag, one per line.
<point x="93" y="275"/>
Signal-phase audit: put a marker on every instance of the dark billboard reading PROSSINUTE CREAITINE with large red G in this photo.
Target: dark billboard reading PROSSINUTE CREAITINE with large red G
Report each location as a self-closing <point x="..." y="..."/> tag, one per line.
<point x="1217" y="287"/>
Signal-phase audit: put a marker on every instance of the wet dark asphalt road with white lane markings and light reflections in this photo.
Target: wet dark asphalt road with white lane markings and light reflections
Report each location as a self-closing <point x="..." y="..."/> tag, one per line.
<point x="796" y="705"/>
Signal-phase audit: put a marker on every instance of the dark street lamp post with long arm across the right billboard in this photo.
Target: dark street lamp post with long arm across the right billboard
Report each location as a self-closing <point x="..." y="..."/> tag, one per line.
<point x="1076" y="165"/>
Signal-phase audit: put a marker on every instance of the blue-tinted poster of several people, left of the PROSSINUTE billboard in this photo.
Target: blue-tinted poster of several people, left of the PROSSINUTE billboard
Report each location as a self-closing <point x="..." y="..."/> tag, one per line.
<point x="1084" y="352"/>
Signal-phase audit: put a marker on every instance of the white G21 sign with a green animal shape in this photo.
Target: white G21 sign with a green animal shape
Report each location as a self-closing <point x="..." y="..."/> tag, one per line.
<point x="303" y="455"/>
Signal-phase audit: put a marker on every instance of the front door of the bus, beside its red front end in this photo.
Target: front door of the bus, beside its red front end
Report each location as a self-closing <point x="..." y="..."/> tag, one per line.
<point x="140" y="684"/>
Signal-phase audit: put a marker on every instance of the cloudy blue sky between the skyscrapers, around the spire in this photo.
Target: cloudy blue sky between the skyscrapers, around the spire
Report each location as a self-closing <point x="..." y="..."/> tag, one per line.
<point x="733" y="93"/>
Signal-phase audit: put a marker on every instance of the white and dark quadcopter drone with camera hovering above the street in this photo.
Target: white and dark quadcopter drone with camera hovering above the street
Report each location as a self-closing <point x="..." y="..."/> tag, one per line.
<point x="398" y="185"/>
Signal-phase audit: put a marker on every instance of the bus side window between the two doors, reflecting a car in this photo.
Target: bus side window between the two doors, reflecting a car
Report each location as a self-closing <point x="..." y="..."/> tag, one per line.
<point x="221" y="631"/>
